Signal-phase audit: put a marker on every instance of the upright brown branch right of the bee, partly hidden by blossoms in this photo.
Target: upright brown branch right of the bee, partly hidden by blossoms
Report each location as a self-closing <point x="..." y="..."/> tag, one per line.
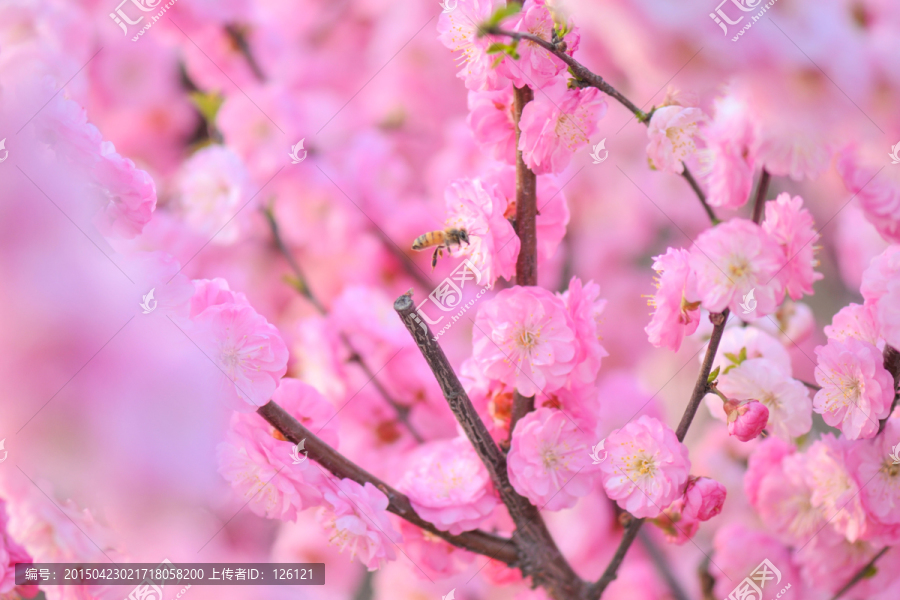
<point x="526" y="229"/>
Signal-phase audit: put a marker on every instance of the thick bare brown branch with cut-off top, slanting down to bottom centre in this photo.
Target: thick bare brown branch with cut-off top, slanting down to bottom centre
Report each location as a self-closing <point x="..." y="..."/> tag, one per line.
<point x="540" y="558"/>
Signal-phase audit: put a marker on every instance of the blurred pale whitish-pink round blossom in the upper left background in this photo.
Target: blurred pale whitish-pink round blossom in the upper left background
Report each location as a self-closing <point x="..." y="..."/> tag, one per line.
<point x="212" y="187"/>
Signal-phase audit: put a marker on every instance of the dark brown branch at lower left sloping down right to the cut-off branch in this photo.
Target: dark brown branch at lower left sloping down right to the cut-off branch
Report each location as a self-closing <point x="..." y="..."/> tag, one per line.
<point x="476" y="541"/>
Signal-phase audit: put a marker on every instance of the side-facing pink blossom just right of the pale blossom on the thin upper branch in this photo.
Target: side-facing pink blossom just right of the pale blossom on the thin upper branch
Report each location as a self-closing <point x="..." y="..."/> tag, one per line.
<point x="728" y="162"/>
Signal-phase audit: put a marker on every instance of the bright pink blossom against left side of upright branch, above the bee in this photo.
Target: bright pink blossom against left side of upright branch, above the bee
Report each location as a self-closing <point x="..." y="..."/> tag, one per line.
<point x="492" y="122"/>
